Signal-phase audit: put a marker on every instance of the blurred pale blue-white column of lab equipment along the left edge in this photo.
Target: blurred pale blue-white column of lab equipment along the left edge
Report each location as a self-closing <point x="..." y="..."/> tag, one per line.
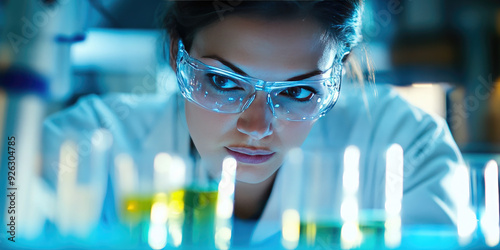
<point x="34" y="70"/>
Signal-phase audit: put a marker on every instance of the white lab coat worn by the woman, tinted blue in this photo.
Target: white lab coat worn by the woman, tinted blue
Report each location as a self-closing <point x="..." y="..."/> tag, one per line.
<point x="145" y="125"/>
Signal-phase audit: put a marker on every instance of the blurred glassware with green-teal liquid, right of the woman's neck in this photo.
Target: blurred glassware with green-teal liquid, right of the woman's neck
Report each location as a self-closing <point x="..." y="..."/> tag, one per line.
<point x="327" y="207"/>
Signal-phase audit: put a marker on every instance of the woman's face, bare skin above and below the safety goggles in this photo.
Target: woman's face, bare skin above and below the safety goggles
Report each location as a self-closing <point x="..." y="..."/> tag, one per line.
<point x="269" y="50"/>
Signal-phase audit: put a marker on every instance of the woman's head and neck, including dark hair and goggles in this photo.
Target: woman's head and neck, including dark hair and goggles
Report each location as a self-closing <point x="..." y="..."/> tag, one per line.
<point x="293" y="46"/>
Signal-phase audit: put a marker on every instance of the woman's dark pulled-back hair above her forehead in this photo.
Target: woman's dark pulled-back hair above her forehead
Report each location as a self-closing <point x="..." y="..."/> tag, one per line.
<point x="340" y="18"/>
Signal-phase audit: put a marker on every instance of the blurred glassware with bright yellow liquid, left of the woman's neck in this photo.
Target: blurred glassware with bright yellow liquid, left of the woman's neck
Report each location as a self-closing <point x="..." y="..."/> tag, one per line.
<point x="179" y="205"/>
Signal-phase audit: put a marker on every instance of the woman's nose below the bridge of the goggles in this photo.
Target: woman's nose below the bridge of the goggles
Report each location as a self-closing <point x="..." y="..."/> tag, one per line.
<point x="256" y="120"/>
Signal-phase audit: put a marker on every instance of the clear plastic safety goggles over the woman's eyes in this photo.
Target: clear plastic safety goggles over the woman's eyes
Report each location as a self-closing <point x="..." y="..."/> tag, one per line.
<point x="224" y="91"/>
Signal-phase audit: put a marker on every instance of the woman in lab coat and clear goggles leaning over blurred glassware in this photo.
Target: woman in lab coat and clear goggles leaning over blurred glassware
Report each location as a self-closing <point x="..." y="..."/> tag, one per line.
<point x="255" y="77"/>
